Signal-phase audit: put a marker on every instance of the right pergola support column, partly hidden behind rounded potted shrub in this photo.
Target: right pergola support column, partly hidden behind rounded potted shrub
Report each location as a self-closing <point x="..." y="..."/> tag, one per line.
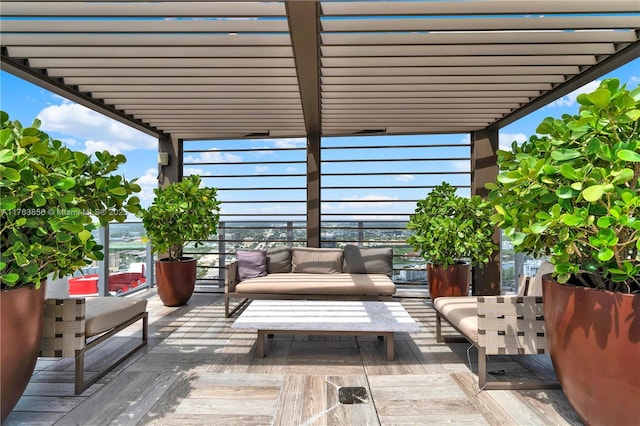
<point x="485" y="281"/>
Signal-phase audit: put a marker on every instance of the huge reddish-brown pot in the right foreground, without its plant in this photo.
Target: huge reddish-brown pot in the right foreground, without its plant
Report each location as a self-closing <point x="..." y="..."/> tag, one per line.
<point x="594" y="341"/>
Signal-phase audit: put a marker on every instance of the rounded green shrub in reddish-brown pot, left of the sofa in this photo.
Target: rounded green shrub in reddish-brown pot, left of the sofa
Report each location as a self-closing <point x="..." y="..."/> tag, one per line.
<point x="181" y="213"/>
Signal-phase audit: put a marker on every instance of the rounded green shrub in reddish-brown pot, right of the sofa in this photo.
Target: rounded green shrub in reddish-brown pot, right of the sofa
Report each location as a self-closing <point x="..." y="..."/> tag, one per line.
<point x="452" y="233"/>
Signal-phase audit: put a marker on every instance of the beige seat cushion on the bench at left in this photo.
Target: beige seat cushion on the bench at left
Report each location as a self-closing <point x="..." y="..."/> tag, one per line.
<point x="104" y="313"/>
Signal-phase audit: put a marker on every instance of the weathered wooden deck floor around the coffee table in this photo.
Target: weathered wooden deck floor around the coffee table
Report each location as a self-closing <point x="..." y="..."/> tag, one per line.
<point x="197" y="370"/>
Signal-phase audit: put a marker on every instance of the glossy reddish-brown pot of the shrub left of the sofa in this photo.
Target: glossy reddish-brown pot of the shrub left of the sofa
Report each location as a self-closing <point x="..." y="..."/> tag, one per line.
<point x="176" y="280"/>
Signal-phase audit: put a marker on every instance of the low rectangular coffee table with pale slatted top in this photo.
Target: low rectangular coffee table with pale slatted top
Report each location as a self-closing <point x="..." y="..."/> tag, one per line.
<point x="326" y="318"/>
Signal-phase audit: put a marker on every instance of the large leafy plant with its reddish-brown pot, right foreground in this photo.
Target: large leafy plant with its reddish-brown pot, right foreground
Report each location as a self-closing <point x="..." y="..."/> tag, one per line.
<point x="572" y="192"/>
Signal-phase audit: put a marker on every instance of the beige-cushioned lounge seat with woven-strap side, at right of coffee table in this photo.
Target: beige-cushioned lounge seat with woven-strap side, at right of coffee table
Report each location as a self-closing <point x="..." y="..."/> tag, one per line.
<point x="500" y="325"/>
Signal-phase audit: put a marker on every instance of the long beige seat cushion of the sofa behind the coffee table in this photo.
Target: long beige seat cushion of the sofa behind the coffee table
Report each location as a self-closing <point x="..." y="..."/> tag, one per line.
<point x="319" y="284"/>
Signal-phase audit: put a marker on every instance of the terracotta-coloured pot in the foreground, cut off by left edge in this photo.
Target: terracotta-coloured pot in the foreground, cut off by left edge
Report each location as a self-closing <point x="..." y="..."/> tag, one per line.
<point x="21" y="322"/>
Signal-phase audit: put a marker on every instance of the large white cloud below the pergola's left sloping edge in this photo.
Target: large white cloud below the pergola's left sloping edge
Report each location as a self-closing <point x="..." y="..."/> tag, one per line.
<point x="99" y="132"/>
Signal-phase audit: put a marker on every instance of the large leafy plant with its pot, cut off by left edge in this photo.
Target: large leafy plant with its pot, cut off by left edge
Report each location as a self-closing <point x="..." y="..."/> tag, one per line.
<point x="49" y="195"/>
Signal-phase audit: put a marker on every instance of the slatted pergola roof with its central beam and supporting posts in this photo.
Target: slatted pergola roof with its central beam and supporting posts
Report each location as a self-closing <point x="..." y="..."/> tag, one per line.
<point x="206" y="70"/>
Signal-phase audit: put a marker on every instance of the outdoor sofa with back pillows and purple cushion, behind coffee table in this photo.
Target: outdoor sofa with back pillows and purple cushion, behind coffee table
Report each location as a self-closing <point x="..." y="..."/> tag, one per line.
<point x="355" y="273"/>
